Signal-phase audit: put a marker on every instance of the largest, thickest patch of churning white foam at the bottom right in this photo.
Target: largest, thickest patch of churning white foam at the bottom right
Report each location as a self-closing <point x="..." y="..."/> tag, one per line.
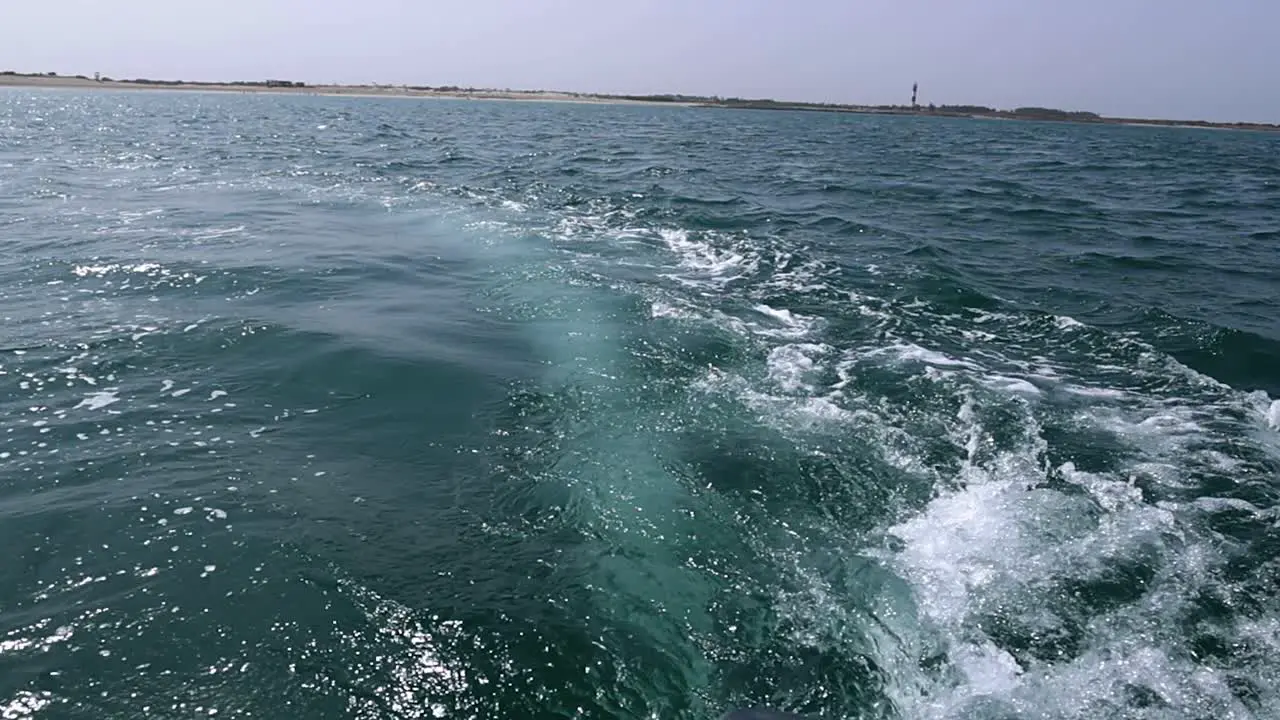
<point x="1000" y="544"/>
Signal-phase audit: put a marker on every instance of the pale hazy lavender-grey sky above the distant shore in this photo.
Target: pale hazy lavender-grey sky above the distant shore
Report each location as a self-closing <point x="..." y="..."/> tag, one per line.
<point x="1208" y="60"/>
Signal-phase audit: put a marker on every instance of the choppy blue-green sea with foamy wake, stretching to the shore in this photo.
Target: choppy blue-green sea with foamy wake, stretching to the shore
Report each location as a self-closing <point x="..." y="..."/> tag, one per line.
<point x="350" y="408"/>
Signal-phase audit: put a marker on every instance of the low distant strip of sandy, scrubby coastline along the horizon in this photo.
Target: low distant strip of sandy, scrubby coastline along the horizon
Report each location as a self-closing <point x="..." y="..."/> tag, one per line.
<point x="285" y="88"/>
